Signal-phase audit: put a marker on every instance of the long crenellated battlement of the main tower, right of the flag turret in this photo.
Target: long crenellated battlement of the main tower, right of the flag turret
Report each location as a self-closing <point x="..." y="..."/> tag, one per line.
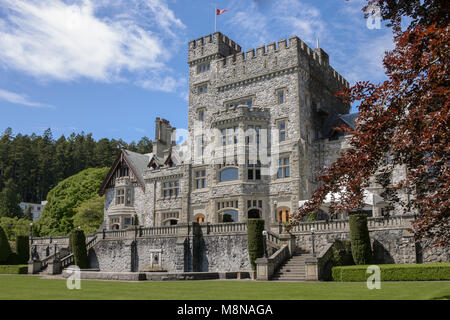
<point x="276" y="56"/>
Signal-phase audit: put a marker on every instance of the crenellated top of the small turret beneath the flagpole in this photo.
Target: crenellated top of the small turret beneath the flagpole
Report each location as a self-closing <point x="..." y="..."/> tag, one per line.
<point x="212" y="44"/>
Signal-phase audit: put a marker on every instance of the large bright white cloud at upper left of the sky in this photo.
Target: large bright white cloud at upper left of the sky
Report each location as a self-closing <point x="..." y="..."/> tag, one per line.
<point x="54" y="40"/>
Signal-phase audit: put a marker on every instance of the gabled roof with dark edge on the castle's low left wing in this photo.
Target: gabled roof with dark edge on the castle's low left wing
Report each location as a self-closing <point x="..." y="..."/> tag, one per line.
<point x="136" y="162"/>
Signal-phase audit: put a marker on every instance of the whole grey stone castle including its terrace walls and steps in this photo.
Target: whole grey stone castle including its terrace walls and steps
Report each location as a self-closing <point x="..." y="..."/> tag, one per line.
<point x="260" y="127"/>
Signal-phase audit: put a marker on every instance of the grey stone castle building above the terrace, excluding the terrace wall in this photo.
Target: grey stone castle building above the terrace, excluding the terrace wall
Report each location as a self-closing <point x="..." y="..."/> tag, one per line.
<point x="282" y="96"/>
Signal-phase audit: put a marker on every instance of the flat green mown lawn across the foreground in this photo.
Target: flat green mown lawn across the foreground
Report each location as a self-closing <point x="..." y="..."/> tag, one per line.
<point x="34" y="287"/>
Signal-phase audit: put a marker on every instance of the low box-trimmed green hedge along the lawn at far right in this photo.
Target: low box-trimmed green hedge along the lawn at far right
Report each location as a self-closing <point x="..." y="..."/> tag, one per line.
<point x="395" y="272"/>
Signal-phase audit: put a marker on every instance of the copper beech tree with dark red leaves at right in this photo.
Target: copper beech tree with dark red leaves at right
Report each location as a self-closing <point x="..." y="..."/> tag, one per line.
<point x="405" y="117"/>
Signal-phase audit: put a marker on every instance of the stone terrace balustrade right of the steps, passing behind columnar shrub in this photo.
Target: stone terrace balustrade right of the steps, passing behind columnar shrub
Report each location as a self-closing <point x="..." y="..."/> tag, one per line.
<point x="343" y="225"/>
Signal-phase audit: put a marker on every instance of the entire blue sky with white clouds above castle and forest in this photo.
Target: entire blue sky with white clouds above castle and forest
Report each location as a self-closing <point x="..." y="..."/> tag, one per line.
<point x="111" y="66"/>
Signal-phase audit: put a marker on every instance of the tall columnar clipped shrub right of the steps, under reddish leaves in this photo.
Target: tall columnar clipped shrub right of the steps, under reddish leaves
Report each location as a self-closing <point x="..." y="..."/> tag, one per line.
<point x="360" y="240"/>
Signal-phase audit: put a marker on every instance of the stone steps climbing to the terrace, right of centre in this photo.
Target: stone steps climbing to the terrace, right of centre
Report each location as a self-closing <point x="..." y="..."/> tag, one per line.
<point x="293" y="269"/>
